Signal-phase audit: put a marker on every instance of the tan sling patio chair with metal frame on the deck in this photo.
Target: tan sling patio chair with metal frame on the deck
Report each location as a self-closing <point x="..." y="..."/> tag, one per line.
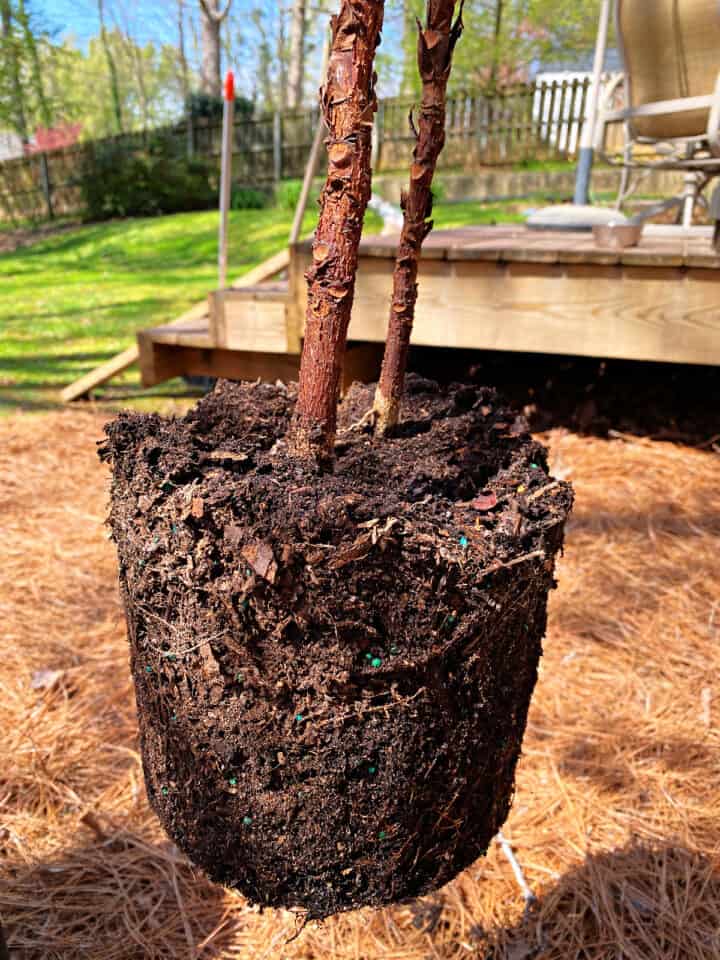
<point x="670" y="50"/>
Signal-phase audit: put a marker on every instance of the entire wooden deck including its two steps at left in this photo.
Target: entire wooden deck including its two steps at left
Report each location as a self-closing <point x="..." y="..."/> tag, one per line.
<point x="488" y="288"/>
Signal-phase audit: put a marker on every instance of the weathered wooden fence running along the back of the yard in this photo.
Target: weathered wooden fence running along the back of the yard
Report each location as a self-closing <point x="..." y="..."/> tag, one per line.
<point x="527" y="122"/>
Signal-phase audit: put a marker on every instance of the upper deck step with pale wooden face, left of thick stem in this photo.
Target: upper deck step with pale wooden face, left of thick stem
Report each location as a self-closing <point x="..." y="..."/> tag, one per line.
<point x="251" y="318"/>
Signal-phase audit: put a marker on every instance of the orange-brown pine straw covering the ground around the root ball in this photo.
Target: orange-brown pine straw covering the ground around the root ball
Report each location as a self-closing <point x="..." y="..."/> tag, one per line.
<point x="616" y="815"/>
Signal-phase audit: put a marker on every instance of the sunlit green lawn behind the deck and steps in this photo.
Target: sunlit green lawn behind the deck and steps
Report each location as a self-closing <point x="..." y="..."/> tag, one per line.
<point x="76" y="298"/>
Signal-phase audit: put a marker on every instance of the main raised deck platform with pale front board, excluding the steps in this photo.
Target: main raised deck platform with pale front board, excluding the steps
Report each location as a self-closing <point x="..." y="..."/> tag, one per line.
<point x="510" y="288"/>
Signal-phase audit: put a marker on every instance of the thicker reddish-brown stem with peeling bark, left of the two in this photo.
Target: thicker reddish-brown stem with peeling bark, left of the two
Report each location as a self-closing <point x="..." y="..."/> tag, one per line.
<point x="349" y="103"/>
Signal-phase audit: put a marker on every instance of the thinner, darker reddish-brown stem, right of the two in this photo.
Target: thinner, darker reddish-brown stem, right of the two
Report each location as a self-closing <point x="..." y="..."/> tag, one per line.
<point x="436" y="43"/>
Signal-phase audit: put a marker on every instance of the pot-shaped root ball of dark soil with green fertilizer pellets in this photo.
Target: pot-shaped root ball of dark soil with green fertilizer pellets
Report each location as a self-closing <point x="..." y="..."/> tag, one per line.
<point x="333" y="670"/>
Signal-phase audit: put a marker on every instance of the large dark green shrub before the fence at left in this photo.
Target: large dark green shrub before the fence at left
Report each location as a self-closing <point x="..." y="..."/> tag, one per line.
<point x="121" y="179"/>
